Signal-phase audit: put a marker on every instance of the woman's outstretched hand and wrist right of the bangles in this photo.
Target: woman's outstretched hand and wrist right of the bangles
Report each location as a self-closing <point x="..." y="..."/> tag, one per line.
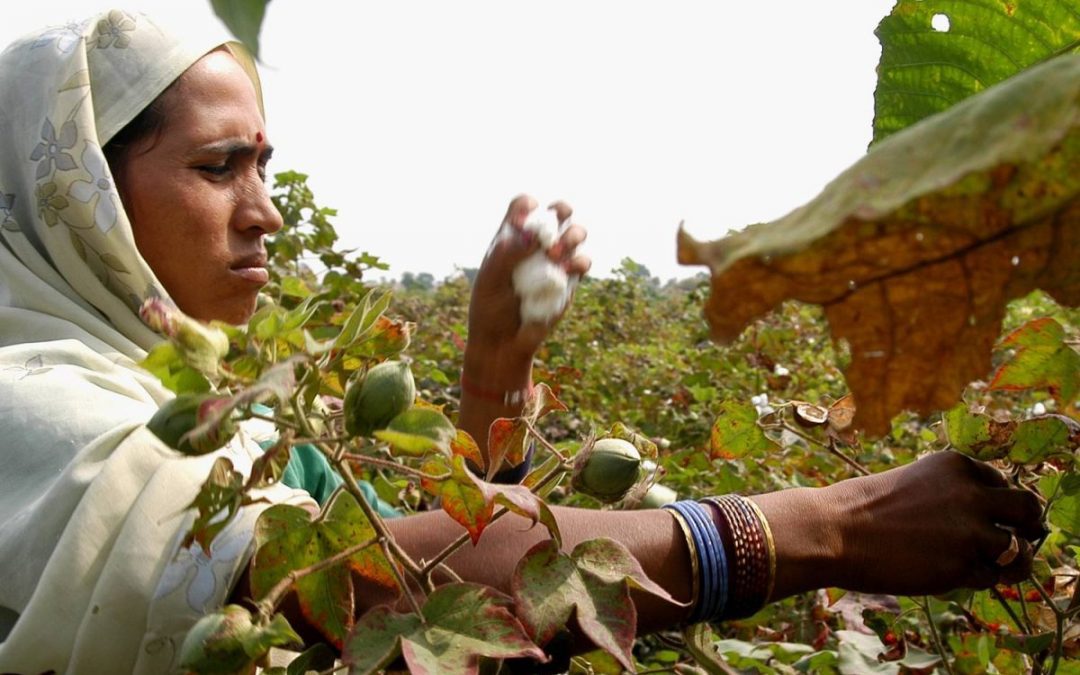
<point x="940" y="523"/>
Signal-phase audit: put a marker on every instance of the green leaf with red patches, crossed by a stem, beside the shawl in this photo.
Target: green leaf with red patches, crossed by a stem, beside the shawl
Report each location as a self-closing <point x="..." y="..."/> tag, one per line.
<point x="288" y="541"/>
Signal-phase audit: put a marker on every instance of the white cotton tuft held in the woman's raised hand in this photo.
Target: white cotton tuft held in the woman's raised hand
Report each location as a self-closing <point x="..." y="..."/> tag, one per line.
<point x="543" y="286"/>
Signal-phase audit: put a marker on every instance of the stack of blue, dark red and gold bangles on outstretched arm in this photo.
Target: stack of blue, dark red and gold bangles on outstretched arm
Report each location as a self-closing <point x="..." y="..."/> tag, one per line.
<point x="734" y="564"/>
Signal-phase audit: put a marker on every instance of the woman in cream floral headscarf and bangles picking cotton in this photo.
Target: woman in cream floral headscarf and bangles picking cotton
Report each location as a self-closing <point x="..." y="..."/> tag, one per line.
<point x="92" y="505"/>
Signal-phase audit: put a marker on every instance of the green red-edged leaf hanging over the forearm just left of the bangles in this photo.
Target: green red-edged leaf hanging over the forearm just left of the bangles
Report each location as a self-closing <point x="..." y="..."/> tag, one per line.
<point x="592" y="584"/>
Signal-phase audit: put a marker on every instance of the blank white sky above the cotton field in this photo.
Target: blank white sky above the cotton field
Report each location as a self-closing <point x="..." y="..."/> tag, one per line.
<point x="421" y="120"/>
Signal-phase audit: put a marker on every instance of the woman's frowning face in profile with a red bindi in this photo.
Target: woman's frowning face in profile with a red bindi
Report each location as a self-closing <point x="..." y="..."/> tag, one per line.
<point x="196" y="193"/>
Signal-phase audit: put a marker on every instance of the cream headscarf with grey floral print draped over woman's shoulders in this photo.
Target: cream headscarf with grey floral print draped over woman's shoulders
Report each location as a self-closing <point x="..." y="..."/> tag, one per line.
<point x="92" y="505"/>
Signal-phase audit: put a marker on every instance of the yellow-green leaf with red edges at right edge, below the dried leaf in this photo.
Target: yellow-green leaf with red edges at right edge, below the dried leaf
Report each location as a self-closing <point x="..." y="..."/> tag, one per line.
<point x="1043" y="361"/>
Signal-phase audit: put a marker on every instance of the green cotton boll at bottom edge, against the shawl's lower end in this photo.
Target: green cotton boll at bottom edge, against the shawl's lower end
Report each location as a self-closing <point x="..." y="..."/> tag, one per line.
<point x="228" y="642"/>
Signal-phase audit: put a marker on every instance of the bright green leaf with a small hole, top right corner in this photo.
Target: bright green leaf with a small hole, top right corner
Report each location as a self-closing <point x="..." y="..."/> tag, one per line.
<point x="926" y="70"/>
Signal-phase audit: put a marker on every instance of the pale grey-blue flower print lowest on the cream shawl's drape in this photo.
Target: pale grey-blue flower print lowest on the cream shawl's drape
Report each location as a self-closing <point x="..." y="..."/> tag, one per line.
<point x="192" y="569"/>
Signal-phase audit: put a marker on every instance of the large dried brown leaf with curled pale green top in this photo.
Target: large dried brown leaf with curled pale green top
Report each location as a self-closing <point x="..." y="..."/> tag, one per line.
<point x="916" y="249"/>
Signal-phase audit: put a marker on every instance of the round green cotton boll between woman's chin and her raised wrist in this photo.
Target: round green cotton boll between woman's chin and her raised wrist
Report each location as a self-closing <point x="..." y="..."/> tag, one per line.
<point x="387" y="391"/>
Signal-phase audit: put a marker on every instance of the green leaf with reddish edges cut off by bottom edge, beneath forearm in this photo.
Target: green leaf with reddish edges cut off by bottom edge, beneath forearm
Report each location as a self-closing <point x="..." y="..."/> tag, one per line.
<point x="463" y="623"/>
